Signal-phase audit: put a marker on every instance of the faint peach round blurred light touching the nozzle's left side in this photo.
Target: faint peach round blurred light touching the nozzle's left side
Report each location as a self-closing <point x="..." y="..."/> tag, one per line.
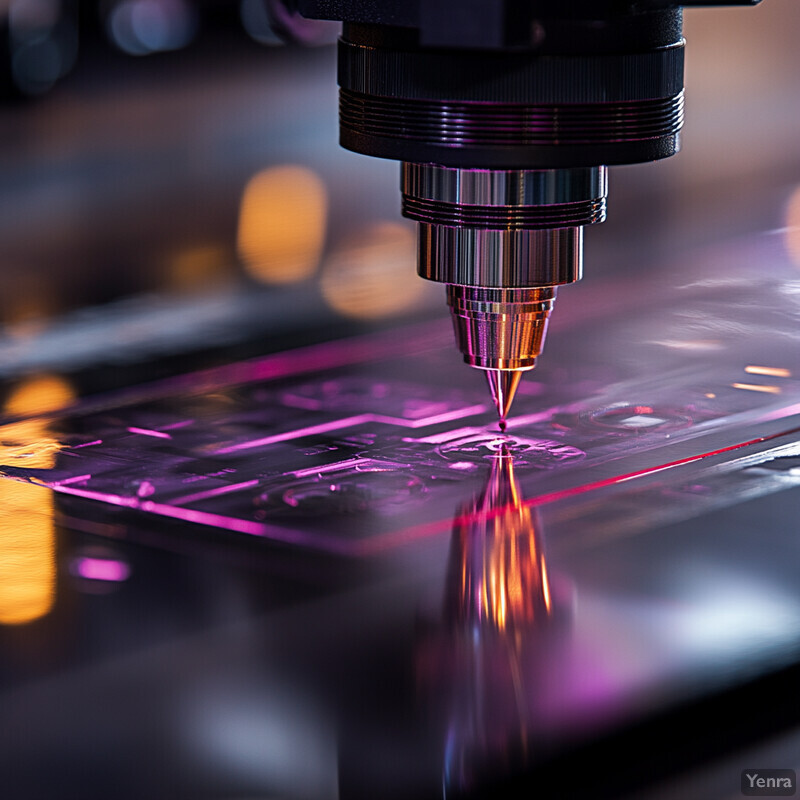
<point x="374" y="275"/>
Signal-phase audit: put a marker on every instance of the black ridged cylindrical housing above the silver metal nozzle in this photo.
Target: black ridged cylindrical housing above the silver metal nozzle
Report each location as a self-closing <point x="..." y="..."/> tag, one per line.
<point x="584" y="92"/>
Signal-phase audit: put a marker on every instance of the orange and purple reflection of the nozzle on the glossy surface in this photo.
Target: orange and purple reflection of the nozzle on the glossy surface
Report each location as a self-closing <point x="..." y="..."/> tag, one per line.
<point x="499" y="608"/>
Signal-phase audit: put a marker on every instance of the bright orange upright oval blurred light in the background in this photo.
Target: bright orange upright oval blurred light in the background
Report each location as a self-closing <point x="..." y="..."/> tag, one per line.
<point x="282" y="222"/>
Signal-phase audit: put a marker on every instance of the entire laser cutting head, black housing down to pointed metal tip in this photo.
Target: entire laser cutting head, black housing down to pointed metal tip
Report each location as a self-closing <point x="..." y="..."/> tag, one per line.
<point x="506" y="114"/>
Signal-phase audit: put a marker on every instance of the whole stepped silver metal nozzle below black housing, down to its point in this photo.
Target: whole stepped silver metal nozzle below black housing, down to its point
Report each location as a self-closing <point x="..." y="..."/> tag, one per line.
<point x="502" y="241"/>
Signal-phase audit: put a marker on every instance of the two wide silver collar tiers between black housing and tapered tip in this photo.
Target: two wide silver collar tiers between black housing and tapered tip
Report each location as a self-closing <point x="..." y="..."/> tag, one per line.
<point x="502" y="228"/>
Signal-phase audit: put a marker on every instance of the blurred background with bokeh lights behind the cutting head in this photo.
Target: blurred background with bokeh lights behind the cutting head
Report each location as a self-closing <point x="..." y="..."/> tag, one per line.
<point x="171" y="183"/>
